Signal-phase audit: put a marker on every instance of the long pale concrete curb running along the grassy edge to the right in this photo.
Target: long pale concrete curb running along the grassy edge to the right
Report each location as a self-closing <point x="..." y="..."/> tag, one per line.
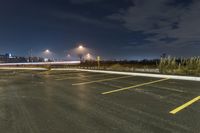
<point x="190" y="78"/>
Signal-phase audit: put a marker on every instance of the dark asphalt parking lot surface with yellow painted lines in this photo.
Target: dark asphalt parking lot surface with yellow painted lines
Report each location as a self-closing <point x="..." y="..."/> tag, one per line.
<point x="86" y="102"/>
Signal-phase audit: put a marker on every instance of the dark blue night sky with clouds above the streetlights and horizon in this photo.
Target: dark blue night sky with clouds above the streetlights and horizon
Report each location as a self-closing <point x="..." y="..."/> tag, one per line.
<point x="113" y="29"/>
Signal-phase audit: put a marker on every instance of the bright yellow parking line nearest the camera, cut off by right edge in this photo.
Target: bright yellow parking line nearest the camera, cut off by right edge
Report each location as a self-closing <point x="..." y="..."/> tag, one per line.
<point x="184" y="105"/>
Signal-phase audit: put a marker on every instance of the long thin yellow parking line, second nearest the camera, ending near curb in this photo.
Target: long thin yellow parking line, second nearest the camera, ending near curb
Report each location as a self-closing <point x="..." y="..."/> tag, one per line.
<point x="130" y="87"/>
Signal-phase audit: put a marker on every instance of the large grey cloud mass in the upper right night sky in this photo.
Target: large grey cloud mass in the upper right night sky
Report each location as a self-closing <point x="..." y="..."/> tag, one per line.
<point x="172" y="24"/>
